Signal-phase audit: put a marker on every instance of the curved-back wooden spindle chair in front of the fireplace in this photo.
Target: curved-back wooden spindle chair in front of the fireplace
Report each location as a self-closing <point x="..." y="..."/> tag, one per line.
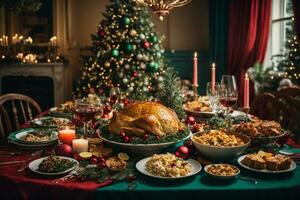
<point x="16" y="109"/>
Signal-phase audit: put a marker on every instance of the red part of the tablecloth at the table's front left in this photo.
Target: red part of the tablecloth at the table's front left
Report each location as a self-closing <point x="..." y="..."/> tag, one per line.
<point x="28" y="185"/>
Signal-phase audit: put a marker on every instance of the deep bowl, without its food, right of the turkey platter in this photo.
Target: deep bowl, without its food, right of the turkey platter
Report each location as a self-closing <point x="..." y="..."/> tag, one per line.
<point x="217" y="153"/>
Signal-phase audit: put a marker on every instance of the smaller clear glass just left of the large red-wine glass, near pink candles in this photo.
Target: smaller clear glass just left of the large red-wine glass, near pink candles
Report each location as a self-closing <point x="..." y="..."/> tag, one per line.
<point x="212" y="92"/>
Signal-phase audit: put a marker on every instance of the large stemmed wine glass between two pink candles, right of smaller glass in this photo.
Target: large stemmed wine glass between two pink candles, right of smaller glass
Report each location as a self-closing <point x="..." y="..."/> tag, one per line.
<point x="228" y="94"/>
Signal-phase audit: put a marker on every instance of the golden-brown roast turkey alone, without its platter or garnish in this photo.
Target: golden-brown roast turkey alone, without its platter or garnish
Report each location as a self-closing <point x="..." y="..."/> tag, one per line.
<point x="140" y="118"/>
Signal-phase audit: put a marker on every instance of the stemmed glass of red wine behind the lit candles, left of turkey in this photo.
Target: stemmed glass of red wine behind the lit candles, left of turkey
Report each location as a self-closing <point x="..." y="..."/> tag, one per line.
<point x="85" y="111"/>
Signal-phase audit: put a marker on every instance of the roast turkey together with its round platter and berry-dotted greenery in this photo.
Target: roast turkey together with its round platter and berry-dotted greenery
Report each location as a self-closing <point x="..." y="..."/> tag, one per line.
<point x="144" y="126"/>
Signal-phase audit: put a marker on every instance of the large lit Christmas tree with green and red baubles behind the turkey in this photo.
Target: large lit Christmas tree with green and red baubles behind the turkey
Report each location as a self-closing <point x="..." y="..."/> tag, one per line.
<point x="127" y="53"/>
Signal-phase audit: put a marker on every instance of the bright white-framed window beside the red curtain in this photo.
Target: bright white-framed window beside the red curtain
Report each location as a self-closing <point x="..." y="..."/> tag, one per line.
<point x="281" y="28"/>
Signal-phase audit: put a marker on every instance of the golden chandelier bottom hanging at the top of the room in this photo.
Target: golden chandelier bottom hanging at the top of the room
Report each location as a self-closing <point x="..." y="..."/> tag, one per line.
<point x="163" y="7"/>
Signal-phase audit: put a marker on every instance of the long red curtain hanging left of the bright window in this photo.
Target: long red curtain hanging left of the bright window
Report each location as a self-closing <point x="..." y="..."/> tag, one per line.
<point x="249" y="23"/>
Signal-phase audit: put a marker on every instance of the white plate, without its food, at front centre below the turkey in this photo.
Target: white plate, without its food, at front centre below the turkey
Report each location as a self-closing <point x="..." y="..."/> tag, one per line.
<point x="141" y="167"/>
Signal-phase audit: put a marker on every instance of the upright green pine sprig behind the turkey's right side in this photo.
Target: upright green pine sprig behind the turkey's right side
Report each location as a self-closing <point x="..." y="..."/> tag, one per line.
<point x="170" y="94"/>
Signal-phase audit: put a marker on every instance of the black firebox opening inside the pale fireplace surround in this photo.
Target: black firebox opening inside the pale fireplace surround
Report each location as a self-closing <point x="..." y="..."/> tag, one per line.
<point x="40" y="88"/>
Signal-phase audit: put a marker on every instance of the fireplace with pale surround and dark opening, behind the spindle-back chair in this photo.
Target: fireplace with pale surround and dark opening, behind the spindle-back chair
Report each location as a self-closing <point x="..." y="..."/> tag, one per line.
<point x="44" y="82"/>
